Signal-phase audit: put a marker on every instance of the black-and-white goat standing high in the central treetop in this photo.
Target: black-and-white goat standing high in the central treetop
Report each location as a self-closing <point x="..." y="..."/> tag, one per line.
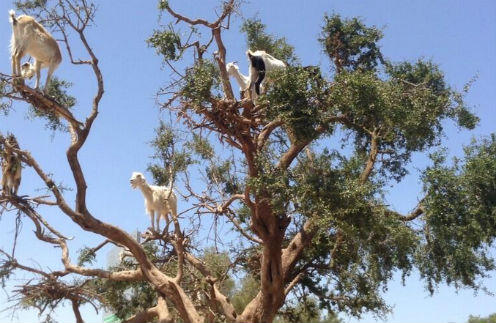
<point x="261" y="63"/>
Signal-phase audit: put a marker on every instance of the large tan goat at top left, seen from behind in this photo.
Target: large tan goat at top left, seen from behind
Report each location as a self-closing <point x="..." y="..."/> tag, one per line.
<point x="29" y="37"/>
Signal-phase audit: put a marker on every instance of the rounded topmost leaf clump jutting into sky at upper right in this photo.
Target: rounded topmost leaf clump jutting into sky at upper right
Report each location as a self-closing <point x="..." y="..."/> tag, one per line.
<point x="350" y="44"/>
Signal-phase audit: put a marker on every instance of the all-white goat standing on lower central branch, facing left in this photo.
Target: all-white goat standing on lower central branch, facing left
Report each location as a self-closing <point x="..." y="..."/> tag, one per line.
<point x="159" y="200"/>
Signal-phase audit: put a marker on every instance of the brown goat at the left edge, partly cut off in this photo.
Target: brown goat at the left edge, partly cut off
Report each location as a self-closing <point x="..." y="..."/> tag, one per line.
<point x="11" y="166"/>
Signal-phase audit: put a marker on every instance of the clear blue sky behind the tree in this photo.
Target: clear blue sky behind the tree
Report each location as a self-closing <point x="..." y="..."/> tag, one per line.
<point x="459" y="35"/>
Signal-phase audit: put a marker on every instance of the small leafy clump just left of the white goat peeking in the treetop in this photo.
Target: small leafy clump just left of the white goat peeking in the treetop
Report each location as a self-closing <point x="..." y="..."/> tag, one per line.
<point x="199" y="82"/>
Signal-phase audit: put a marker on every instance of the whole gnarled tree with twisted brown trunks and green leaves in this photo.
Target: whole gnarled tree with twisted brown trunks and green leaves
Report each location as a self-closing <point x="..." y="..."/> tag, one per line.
<point x="298" y="176"/>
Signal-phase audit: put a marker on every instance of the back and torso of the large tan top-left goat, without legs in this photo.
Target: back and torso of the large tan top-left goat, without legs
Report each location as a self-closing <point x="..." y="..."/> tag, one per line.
<point x="30" y="37"/>
